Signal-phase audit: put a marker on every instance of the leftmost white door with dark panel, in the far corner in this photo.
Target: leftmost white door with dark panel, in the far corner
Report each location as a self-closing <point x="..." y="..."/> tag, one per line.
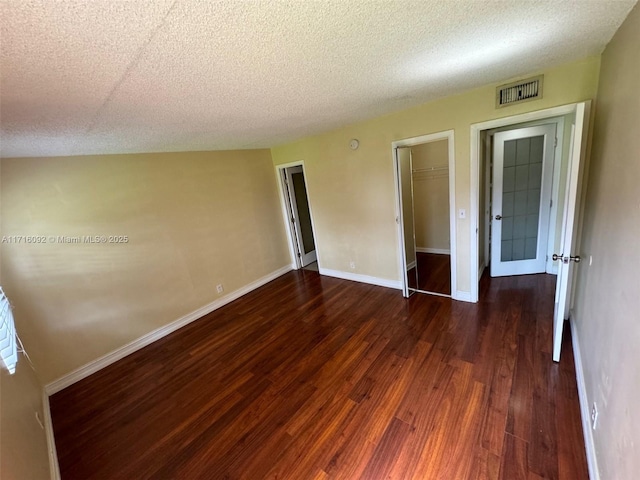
<point x="296" y="192"/>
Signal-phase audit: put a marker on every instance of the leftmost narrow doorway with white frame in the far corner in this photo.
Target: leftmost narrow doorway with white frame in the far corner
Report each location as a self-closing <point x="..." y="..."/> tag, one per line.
<point x="297" y="212"/>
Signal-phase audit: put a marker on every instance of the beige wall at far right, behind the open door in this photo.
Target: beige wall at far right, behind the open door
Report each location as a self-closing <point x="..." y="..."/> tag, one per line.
<point x="607" y="305"/>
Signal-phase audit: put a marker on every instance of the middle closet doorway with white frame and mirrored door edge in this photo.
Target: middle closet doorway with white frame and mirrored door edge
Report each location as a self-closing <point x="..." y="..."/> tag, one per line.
<point x="424" y="169"/>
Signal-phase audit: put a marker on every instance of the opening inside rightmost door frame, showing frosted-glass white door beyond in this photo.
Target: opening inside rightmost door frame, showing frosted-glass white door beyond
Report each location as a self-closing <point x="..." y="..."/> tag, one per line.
<point x="510" y="197"/>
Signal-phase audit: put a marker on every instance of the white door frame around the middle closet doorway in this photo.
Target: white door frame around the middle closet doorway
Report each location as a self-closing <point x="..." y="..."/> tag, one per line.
<point x="411" y="142"/>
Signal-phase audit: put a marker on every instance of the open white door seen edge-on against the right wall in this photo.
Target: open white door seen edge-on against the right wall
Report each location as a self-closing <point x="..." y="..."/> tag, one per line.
<point x="568" y="256"/>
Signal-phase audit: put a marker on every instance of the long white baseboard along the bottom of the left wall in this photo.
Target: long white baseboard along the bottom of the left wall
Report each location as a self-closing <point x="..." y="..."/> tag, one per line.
<point x="112" y="357"/>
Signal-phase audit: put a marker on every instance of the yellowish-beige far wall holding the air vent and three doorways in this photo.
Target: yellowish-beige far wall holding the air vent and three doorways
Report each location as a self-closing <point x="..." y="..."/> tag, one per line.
<point x="352" y="193"/>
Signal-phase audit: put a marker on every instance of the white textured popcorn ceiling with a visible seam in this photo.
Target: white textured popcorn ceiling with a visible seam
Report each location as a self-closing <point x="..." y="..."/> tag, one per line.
<point x="116" y="76"/>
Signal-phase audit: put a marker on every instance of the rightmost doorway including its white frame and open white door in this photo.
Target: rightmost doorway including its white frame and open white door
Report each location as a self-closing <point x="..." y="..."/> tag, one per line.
<point x="564" y="207"/>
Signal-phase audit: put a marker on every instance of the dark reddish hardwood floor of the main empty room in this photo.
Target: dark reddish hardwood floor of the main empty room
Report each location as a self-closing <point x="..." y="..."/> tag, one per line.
<point x="312" y="377"/>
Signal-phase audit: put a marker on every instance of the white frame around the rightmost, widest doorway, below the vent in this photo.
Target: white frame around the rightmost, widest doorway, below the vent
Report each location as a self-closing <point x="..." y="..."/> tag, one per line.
<point x="476" y="146"/>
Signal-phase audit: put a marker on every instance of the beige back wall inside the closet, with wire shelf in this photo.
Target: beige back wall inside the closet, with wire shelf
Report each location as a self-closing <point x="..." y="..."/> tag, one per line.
<point x="431" y="195"/>
